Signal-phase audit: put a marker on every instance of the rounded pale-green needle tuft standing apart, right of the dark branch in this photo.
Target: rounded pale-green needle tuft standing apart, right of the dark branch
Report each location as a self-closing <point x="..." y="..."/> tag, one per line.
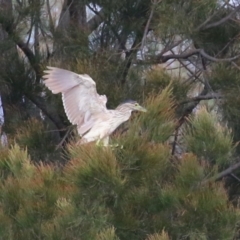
<point x="208" y="139"/>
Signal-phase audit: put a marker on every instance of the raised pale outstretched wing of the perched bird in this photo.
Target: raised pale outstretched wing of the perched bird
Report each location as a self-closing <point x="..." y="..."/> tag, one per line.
<point x="80" y="98"/>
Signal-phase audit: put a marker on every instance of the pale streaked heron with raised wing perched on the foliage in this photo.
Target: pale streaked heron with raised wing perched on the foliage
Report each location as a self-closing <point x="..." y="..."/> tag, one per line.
<point x="85" y="108"/>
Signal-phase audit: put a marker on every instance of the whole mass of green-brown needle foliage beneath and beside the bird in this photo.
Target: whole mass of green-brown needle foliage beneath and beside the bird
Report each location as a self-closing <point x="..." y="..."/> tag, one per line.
<point x="137" y="191"/>
